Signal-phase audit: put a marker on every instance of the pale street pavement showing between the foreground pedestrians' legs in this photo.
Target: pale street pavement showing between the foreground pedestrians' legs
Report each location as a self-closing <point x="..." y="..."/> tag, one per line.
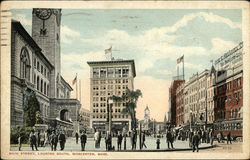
<point x="90" y="145"/>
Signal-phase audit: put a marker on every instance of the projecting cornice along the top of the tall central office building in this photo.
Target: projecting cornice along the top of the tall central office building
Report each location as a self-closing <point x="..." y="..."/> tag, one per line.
<point x="114" y="62"/>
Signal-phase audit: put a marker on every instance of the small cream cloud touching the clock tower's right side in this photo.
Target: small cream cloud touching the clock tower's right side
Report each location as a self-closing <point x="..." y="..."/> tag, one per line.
<point x="68" y="34"/>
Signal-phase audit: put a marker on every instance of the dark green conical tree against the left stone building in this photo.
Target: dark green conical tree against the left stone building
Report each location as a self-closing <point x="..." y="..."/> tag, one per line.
<point x="31" y="107"/>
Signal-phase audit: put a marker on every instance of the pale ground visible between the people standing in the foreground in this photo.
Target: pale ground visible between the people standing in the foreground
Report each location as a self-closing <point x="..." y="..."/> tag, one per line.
<point x="150" y="143"/>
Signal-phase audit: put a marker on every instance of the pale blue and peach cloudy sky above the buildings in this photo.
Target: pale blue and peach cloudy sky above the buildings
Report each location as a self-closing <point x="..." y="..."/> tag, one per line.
<point x="154" y="38"/>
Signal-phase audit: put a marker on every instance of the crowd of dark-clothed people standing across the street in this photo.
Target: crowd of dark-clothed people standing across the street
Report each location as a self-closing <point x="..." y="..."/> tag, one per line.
<point x="194" y="137"/>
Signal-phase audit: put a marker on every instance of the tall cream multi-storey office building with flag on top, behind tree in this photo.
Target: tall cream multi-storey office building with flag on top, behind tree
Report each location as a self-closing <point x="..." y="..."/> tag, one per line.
<point x="108" y="78"/>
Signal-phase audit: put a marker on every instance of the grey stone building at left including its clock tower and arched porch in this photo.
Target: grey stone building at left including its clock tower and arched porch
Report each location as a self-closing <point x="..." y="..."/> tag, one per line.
<point x="36" y="67"/>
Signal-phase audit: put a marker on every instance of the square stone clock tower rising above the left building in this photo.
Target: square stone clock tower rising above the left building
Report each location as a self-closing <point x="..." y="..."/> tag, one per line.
<point x="46" y="33"/>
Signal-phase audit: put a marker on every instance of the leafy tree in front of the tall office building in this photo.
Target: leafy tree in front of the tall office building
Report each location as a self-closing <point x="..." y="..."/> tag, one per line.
<point x="130" y="98"/>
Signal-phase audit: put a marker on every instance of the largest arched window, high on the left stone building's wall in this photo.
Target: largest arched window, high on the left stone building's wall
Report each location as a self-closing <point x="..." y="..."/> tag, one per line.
<point x="25" y="64"/>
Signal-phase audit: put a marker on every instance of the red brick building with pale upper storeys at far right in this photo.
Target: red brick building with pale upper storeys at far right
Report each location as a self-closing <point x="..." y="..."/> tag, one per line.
<point x="229" y="90"/>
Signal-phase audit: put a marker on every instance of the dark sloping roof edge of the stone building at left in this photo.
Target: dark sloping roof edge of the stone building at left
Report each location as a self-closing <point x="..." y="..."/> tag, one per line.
<point x="19" y="28"/>
